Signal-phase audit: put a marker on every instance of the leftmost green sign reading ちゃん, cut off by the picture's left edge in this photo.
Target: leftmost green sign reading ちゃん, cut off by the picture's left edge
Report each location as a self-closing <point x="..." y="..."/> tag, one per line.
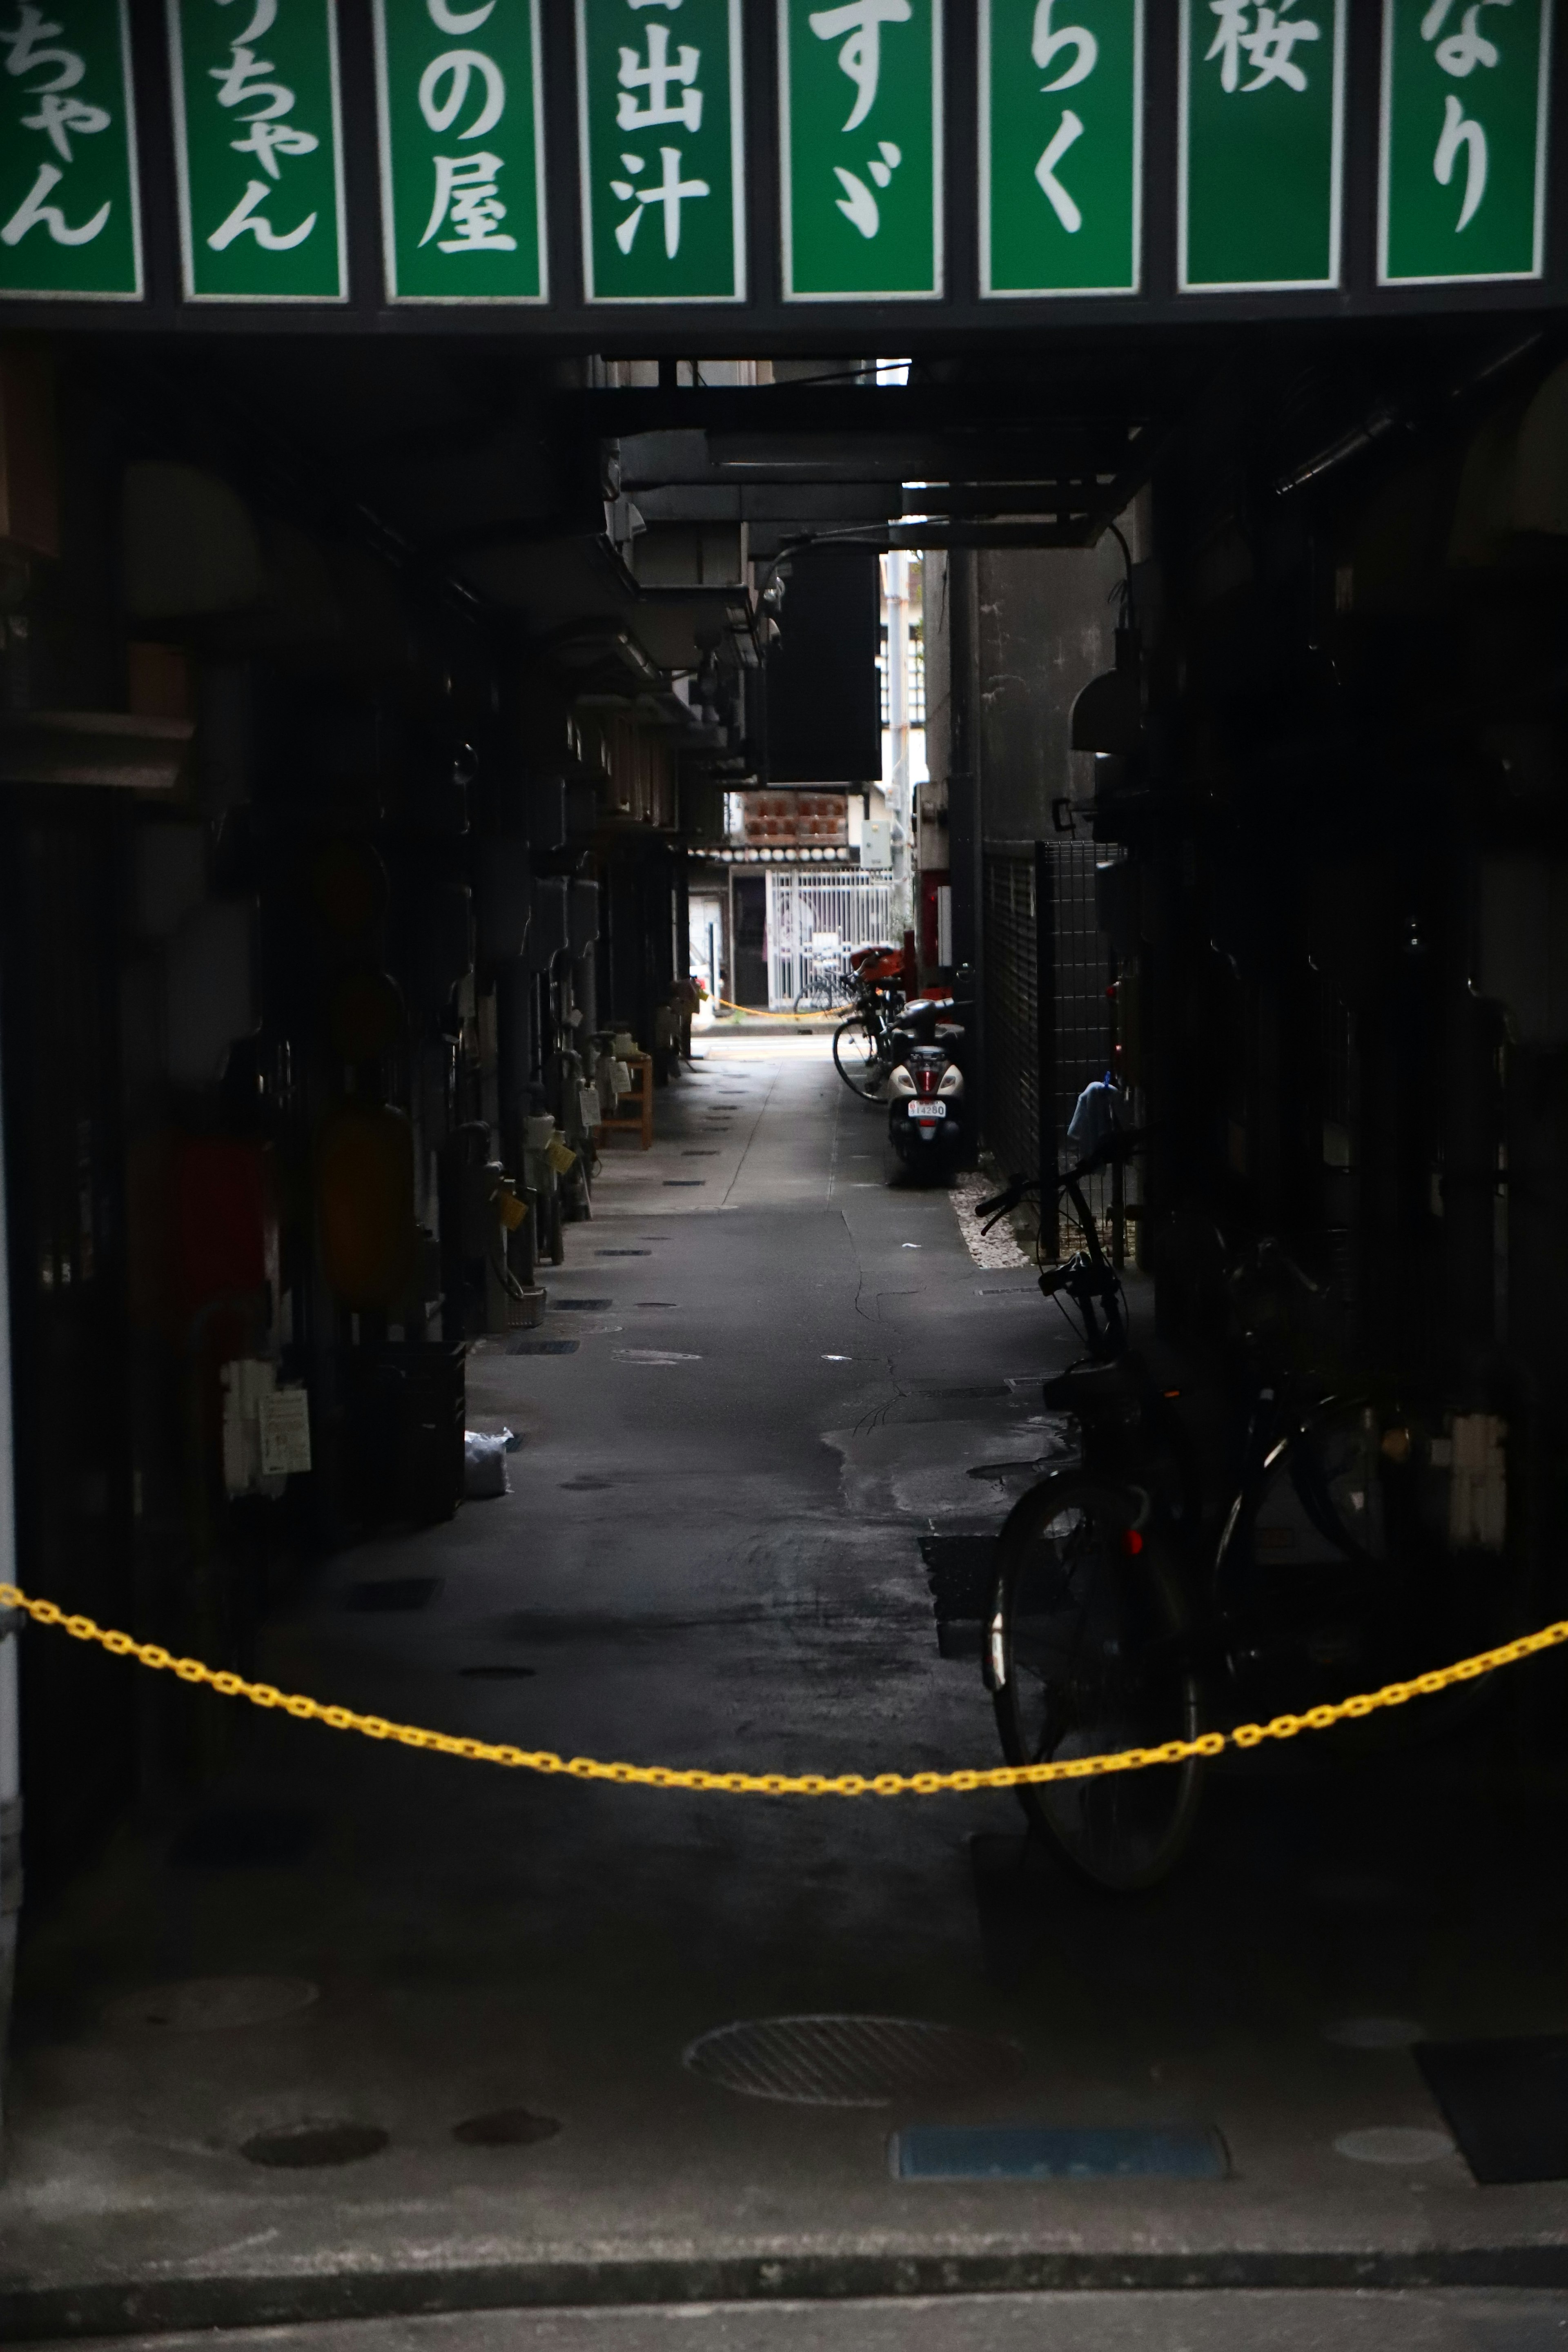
<point x="69" y="218"/>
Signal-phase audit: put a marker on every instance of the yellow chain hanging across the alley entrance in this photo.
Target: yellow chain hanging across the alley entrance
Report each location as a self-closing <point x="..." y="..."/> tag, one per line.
<point x="777" y="1784"/>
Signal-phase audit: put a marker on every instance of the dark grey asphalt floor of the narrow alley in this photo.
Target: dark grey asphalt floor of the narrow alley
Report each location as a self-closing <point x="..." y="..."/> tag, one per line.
<point x="779" y="1379"/>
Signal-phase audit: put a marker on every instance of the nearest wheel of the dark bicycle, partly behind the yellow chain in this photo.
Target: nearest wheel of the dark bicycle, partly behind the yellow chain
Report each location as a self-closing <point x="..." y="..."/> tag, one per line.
<point x="1090" y="1657"/>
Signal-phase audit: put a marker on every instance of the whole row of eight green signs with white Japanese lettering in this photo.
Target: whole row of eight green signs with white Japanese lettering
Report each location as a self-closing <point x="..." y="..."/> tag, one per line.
<point x="662" y="147"/>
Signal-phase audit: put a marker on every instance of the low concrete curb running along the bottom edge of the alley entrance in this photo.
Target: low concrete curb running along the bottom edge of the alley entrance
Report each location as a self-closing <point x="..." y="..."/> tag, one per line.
<point x="168" y="2306"/>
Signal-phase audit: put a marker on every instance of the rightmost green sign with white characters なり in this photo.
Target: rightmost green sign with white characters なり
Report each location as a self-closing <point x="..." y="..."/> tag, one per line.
<point x="1463" y="187"/>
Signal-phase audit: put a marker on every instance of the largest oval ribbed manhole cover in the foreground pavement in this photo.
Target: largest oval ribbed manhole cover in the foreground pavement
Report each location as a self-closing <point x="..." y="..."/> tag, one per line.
<point x="847" y="2062"/>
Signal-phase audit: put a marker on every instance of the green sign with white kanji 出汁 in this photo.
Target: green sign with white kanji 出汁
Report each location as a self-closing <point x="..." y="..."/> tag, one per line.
<point x="662" y="149"/>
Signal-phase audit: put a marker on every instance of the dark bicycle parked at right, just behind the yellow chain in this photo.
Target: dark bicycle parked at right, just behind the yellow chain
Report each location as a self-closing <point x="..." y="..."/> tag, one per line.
<point x="1123" y="1617"/>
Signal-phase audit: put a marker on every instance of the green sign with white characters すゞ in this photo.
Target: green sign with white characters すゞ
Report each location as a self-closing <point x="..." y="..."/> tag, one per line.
<point x="862" y="149"/>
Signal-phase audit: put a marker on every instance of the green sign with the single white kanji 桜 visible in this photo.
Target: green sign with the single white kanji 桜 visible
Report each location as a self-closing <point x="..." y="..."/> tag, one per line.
<point x="1261" y="145"/>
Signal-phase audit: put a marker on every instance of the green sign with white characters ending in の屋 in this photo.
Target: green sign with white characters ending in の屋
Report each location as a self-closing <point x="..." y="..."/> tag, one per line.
<point x="462" y="149"/>
